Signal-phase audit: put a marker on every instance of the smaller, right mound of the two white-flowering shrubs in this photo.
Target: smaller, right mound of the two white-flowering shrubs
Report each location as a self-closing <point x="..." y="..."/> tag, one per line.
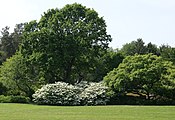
<point x="94" y="94"/>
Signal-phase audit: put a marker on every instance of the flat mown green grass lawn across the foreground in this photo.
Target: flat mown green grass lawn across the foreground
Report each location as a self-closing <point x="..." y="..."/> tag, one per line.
<point x="35" y="112"/>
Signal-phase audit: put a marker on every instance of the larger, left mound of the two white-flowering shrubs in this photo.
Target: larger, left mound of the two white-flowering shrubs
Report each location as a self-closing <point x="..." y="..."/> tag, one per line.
<point x="59" y="93"/>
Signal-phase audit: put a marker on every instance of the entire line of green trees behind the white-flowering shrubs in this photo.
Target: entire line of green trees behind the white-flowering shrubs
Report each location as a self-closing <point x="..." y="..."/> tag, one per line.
<point x="71" y="45"/>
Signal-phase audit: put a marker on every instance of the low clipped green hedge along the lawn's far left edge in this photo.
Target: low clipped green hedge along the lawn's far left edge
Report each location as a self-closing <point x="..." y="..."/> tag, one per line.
<point x="14" y="99"/>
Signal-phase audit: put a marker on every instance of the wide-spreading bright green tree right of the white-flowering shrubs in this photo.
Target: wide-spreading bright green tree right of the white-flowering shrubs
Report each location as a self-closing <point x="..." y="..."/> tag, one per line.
<point x="145" y="75"/>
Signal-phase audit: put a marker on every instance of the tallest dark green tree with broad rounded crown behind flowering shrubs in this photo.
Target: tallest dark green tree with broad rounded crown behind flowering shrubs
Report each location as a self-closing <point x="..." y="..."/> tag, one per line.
<point x="68" y="40"/>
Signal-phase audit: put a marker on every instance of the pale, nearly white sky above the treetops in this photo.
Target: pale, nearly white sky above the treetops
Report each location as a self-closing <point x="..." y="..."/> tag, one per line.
<point x="126" y="20"/>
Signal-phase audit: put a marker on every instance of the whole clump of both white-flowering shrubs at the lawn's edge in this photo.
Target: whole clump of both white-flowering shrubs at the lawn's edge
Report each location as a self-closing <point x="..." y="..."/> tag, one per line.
<point x="62" y="93"/>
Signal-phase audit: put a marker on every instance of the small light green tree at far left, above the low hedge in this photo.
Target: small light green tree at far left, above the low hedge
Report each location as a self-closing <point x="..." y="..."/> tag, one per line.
<point x="15" y="76"/>
